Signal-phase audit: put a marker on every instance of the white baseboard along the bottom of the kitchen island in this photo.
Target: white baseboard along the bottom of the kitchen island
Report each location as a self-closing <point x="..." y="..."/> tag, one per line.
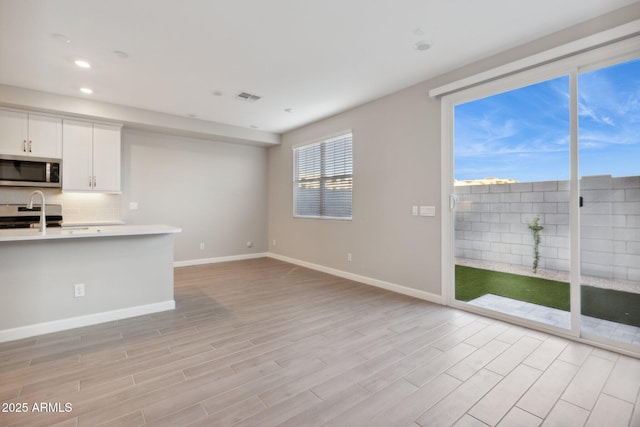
<point x="87" y="320"/>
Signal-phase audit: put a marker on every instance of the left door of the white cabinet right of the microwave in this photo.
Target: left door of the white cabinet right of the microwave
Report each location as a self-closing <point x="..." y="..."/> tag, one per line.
<point x="77" y="156"/>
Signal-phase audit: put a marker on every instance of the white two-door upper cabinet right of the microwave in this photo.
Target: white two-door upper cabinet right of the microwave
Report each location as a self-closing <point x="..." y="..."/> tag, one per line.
<point x="90" y="157"/>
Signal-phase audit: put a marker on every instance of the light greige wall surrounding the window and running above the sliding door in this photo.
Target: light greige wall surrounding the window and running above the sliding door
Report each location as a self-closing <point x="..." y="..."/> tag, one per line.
<point x="396" y="165"/>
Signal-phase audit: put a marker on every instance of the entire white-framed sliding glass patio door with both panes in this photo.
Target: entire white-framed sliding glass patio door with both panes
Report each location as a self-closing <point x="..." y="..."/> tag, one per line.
<point x="544" y="184"/>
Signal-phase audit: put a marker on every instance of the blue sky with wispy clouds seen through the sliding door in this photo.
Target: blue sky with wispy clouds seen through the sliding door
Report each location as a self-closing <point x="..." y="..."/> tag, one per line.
<point x="524" y="134"/>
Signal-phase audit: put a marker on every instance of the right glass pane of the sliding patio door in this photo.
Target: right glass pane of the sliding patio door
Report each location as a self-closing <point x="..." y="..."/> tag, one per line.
<point x="609" y="155"/>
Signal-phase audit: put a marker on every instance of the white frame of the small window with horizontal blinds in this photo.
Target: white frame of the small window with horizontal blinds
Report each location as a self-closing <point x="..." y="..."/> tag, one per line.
<point x="320" y="142"/>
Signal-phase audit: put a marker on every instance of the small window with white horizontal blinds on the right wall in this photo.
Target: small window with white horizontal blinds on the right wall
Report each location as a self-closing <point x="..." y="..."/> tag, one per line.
<point x="323" y="178"/>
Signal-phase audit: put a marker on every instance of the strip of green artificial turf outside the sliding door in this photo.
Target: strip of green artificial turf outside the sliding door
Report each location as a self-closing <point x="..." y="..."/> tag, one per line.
<point x="617" y="306"/>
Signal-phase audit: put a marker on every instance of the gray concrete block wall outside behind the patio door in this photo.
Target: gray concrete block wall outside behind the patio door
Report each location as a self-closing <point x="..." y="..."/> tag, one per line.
<point x="491" y="224"/>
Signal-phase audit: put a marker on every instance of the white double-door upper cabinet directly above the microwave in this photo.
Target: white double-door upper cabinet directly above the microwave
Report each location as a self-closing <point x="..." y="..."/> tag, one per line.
<point x="26" y="134"/>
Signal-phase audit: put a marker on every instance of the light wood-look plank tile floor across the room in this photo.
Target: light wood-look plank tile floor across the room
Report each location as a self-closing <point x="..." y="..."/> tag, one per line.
<point x="265" y="343"/>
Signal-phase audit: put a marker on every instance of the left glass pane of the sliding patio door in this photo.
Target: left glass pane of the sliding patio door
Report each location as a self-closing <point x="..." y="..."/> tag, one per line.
<point x="511" y="175"/>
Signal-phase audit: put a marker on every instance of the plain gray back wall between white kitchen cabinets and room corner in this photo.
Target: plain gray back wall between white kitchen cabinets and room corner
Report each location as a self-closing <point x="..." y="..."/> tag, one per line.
<point x="216" y="192"/>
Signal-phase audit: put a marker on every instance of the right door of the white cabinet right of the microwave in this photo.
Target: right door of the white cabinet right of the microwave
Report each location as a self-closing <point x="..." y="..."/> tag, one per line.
<point x="106" y="157"/>
